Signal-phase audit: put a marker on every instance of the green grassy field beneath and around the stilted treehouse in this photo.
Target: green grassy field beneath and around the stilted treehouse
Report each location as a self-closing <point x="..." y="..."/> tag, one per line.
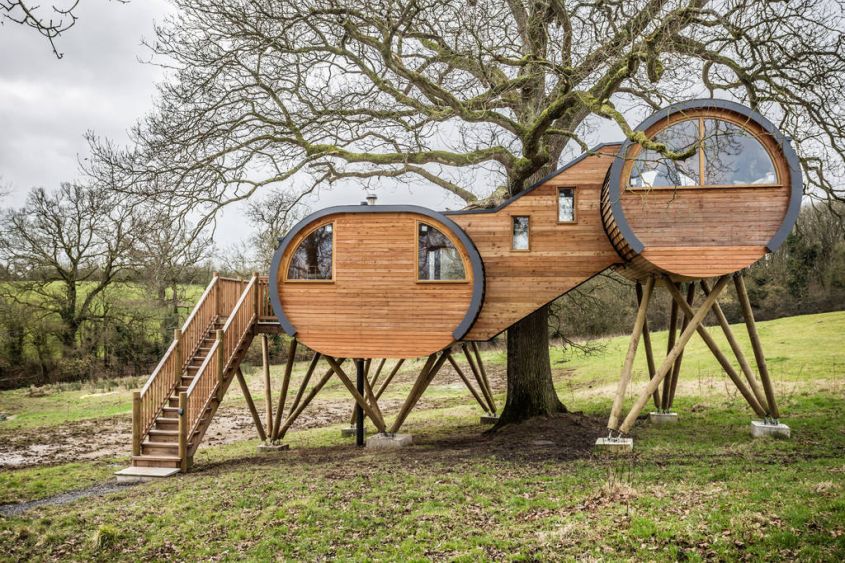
<point x="702" y="489"/>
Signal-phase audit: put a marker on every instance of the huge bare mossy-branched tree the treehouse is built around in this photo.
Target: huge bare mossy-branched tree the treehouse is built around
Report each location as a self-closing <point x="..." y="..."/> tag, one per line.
<point x="444" y="92"/>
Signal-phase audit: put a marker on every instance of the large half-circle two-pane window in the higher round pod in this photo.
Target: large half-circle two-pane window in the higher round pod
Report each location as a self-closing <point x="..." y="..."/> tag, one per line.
<point x="718" y="153"/>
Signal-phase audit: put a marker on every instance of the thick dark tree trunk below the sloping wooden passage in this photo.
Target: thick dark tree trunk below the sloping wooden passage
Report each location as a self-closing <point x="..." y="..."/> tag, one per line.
<point x="531" y="391"/>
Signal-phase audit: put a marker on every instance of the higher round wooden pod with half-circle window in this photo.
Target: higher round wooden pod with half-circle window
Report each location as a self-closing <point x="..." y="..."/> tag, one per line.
<point x="729" y="194"/>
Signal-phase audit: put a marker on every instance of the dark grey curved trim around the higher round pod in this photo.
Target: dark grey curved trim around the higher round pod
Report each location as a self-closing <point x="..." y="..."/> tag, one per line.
<point x="795" y="178"/>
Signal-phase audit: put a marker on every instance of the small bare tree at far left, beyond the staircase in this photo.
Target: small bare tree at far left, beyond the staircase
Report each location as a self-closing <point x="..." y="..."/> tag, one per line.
<point x="64" y="249"/>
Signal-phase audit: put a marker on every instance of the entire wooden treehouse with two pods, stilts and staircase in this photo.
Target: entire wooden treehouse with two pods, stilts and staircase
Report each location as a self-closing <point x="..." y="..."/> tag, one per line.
<point x="376" y="282"/>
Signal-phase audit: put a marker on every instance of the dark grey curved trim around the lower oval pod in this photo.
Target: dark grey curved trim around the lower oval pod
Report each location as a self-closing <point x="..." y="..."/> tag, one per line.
<point x="474" y="258"/>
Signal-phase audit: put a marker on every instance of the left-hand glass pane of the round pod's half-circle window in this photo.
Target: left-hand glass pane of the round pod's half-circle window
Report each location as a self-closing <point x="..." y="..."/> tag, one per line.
<point x="652" y="169"/>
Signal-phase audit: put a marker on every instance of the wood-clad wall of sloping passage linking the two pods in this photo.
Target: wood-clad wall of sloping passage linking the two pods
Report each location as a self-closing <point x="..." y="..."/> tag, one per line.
<point x="561" y="255"/>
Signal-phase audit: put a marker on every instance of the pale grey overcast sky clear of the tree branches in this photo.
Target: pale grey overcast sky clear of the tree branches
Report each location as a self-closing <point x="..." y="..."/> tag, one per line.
<point x="100" y="84"/>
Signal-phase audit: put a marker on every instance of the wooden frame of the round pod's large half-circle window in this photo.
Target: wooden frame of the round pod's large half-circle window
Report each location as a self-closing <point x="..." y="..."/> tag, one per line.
<point x="699" y="118"/>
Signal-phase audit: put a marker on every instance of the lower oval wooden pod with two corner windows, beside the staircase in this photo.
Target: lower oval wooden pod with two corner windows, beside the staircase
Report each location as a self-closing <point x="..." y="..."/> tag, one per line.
<point x="376" y="281"/>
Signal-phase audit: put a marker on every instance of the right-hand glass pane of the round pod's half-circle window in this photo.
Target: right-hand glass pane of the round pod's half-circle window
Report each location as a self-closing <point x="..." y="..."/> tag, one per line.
<point x="733" y="156"/>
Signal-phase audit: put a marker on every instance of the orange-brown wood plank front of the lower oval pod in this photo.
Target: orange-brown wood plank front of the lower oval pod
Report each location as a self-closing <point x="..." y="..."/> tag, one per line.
<point x="375" y="307"/>
